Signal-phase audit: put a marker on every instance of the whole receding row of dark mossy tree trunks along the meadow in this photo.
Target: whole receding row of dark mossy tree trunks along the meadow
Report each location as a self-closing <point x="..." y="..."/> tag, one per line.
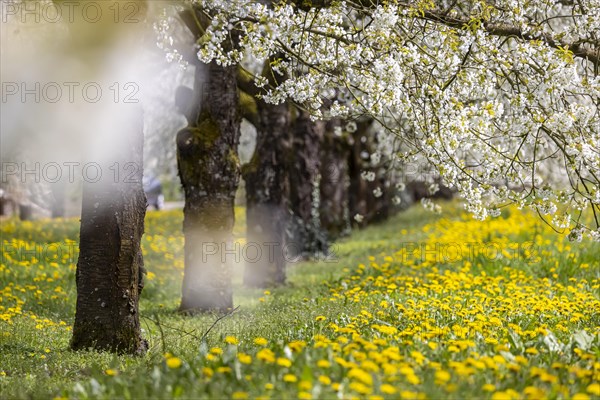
<point x="303" y="187"/>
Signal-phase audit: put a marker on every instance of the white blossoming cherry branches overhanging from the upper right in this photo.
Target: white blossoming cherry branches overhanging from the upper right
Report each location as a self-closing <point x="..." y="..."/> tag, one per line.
<point x="500" y="97"/>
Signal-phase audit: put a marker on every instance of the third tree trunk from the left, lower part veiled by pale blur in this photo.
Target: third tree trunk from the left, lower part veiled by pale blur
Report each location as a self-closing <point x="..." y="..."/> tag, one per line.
<point x="267" y="190"/>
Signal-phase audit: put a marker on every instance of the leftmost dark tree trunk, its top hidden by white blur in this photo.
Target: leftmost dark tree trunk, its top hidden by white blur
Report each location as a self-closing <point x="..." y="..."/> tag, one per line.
<point x="110" y="265"/>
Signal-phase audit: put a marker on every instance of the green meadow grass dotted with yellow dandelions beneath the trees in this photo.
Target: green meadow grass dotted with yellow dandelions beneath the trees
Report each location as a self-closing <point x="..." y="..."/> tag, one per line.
<point x="390" y="321"/>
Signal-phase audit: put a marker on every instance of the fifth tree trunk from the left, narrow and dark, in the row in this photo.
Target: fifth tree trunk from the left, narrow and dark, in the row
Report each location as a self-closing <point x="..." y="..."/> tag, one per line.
<point x="334" y="213"/>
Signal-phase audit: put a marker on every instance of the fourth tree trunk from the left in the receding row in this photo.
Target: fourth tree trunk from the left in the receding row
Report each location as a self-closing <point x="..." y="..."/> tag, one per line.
<point x="305" y="237"/>
